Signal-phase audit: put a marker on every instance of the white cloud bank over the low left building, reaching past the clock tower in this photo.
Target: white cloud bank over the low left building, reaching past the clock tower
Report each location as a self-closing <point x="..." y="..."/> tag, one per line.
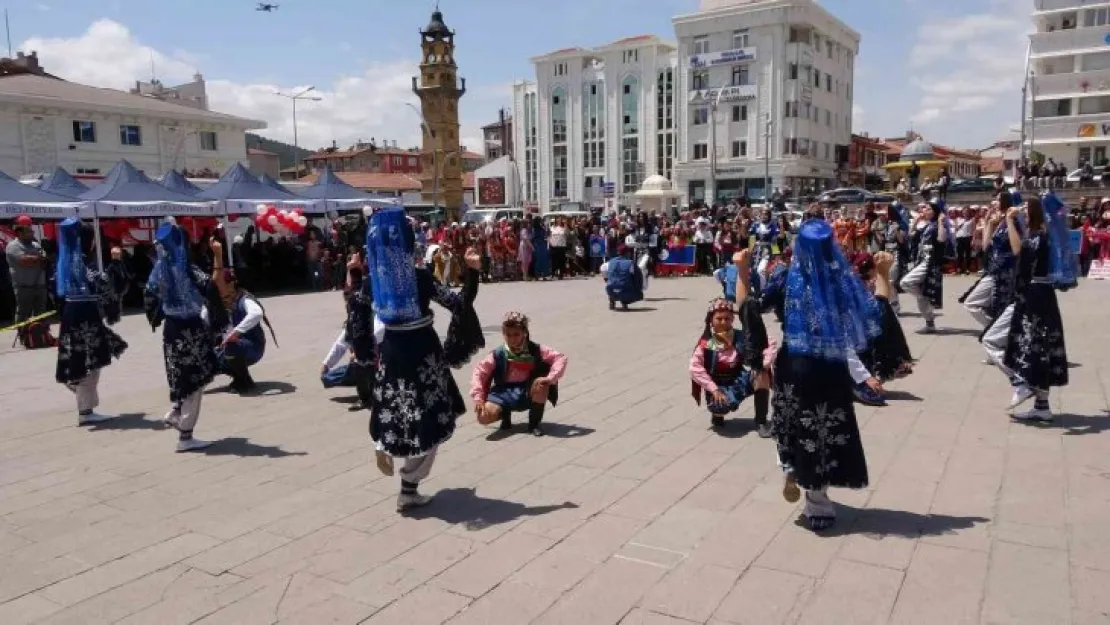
<point x="358" y="105"/>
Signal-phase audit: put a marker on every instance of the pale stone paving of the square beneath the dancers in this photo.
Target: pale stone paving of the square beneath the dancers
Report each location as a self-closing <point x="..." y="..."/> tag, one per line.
<point x="632" y="512"/>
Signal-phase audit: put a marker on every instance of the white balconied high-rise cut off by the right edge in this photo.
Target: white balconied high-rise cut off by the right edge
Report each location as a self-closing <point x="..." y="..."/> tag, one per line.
<point x="1069" y="87"/>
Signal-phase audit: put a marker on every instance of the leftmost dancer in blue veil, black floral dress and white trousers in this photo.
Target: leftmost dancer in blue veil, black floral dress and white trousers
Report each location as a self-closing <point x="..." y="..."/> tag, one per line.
<point x="86" y="345"/>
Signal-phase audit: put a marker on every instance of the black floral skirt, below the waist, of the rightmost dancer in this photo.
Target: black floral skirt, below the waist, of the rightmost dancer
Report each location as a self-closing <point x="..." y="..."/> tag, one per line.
<point x="1036" y="348"/>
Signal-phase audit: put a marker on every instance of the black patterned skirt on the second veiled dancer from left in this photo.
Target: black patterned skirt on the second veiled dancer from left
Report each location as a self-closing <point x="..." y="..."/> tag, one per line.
<point x="191" y="364"/>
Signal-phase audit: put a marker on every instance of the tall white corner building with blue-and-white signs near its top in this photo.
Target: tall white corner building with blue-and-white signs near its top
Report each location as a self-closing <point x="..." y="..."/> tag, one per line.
<point x="768" y="94"/>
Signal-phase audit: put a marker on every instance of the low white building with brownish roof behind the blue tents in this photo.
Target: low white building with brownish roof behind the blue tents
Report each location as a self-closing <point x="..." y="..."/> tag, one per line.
<point x="48" y="123"/>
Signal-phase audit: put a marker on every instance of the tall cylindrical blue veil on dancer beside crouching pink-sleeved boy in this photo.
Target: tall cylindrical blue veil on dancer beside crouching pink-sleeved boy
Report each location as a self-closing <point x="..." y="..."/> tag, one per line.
<point x="391" y="267"/>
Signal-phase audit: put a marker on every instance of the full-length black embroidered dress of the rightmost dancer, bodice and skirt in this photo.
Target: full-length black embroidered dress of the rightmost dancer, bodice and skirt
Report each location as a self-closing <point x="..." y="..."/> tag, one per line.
<point x="1035" y="350"/>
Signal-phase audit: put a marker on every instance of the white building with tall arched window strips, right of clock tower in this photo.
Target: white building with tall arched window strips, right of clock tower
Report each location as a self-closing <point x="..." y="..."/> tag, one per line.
<point x="597" y="123"/>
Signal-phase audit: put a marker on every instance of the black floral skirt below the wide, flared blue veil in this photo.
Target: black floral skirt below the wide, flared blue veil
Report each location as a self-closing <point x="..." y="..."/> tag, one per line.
<point x="815" y="422"/>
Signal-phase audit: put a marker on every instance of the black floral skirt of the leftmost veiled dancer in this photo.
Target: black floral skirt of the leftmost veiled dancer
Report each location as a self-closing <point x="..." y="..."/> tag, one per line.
<point x="85" y="344"/>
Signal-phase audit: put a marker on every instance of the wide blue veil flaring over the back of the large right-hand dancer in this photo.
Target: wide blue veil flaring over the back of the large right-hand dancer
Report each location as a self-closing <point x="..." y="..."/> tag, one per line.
<point x="829" y="314"/>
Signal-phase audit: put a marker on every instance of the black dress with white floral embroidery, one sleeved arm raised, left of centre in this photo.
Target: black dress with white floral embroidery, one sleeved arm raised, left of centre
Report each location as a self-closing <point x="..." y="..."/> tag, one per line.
<point x="416" y="400"/>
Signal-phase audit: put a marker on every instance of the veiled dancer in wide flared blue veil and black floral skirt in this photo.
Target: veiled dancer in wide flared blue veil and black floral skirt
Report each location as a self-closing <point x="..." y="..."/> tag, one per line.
<point x="829" y="320"/>
